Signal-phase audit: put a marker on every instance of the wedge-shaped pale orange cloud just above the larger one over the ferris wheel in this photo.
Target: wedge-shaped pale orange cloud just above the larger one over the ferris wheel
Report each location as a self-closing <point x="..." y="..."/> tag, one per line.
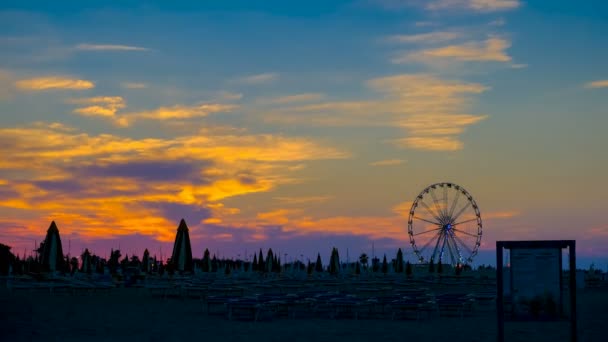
<point x="490" y="50"/>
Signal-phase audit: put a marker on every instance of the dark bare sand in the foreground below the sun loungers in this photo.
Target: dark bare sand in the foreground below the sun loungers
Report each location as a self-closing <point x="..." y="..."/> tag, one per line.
<point x="134" y="315"/>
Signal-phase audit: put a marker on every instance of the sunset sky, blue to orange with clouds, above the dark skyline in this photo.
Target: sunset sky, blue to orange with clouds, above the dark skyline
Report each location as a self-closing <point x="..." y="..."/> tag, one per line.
<point x="300" y="125"/>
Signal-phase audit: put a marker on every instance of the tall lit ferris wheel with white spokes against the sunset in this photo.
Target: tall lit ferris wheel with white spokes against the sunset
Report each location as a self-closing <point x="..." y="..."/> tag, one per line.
<point x="444" y="225"/>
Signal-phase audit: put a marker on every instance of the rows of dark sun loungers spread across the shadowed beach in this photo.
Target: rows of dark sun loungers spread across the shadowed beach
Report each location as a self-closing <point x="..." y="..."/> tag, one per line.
<point x="259" y="300"/>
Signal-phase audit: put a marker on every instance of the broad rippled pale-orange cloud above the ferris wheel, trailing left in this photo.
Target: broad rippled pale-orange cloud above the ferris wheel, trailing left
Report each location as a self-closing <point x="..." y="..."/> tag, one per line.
<point x="430" y="109"/>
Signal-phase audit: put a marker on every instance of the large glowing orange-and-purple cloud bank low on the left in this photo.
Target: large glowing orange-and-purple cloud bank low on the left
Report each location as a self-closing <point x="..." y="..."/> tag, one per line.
<point x="107" y="185"/>
